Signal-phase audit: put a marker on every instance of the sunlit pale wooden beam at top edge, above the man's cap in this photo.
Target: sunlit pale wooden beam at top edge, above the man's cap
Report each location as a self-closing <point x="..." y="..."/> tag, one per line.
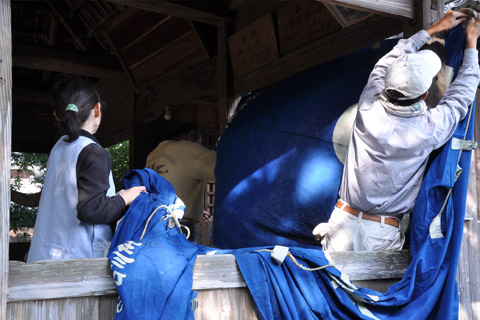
<point x="402" y="8"/>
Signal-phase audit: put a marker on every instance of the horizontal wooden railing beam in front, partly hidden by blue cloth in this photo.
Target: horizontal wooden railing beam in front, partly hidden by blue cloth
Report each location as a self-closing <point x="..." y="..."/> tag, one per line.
<point x="56" y="279"/>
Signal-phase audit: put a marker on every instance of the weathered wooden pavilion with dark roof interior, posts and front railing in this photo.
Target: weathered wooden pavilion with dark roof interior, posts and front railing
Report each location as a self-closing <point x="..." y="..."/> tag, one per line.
<point x="197" y="57"/>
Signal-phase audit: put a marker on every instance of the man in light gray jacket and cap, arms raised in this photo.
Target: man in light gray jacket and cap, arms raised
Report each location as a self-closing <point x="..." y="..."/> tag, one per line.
<point x="393" y="136"/>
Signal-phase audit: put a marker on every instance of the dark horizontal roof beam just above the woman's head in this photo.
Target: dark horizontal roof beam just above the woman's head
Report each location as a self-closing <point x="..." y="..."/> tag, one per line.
<point x="73" y="62"/>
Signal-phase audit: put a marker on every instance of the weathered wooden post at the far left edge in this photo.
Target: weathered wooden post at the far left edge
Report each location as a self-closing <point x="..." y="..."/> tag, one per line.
<point x="5" y="145"/>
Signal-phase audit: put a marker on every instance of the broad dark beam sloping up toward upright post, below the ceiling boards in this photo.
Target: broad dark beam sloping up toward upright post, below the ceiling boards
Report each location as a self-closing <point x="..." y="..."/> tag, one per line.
<point x="190" y="85"/>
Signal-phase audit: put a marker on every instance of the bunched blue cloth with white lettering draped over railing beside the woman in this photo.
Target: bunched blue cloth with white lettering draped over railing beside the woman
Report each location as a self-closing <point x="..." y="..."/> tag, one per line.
<point x="152" y="262"/>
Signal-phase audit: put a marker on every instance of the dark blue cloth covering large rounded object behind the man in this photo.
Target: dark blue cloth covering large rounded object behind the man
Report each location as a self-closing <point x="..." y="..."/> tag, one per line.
<point x="277" y="175"/>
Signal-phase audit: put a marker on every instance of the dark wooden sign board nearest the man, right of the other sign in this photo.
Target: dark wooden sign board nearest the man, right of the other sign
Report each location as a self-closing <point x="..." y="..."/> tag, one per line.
<point x="300" y="22"/>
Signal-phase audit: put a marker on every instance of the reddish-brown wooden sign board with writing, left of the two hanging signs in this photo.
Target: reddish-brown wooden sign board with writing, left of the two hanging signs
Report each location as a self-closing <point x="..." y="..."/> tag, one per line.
<point x="253" y="46"/>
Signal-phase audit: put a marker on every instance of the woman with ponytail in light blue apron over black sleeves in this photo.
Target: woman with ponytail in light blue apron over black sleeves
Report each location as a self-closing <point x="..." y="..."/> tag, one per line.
<point x="78" y="204"/>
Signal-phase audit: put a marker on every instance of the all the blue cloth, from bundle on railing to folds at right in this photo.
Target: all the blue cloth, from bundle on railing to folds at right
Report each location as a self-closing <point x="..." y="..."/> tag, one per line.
<point x="155" y="271"/>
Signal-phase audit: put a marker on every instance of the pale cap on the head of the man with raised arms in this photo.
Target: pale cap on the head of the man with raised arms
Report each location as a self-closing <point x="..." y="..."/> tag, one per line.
<point x="412" y="74"/>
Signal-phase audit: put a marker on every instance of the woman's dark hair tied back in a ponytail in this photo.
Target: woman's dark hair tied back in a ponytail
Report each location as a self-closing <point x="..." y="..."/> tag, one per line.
<point x="69" y="89"/>
